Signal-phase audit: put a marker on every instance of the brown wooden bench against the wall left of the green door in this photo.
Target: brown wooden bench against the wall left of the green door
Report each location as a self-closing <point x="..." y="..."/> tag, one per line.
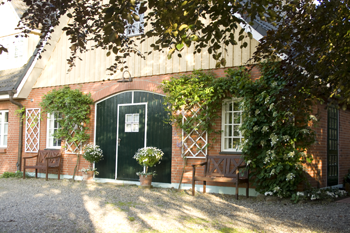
<point x="45" y="160"/>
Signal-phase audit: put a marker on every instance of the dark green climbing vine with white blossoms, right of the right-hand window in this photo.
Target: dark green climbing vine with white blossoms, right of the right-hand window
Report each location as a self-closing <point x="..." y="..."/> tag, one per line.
<point x="277" y="131"/>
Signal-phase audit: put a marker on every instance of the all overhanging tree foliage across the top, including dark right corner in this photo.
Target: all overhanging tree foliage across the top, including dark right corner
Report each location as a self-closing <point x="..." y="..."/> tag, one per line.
<point x="312" y="39"/>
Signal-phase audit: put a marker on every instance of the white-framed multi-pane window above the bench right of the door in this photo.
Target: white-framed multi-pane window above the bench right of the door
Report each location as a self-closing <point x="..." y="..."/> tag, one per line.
<point x="231" y="136"/>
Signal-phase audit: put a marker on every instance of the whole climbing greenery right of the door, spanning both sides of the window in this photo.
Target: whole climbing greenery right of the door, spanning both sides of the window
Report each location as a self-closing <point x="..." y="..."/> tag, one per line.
<point x="276" y="127"/>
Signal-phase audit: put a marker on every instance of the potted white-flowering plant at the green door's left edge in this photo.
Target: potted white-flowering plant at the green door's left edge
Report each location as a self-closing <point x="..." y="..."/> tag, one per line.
<point x="93" y="154"/>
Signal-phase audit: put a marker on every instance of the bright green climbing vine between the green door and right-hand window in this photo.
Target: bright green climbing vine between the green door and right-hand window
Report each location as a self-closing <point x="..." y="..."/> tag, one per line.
<point x="199" y="89"/>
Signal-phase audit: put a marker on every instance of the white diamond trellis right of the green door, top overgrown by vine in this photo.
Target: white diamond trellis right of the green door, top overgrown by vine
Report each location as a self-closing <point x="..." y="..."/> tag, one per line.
<point x="194" y="144"/>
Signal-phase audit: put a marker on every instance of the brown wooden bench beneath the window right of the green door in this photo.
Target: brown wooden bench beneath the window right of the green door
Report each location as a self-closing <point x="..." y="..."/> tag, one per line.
<point x="225" y="168"/>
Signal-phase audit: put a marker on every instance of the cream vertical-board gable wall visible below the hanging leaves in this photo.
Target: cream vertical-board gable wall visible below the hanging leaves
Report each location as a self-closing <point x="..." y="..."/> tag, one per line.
<point x="93" y="66"/>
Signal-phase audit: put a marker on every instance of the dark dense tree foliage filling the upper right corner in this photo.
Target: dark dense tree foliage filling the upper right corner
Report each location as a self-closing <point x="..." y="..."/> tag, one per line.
<point x="314" y="43"/>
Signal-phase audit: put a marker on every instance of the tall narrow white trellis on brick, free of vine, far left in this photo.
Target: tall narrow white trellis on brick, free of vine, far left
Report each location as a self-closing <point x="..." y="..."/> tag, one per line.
<point x="32" y="136"/>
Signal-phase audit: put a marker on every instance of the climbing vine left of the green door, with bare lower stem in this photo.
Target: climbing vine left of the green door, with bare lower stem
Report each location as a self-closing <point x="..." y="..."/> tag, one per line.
<point x="74" y="108"/>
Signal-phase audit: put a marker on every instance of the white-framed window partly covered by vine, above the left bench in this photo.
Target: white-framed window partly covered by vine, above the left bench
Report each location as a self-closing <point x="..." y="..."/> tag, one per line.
<point x="52" y="126"/>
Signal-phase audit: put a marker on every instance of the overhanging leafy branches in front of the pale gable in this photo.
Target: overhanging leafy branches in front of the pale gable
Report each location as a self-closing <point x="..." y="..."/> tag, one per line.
<point x="176" y="23"/>
